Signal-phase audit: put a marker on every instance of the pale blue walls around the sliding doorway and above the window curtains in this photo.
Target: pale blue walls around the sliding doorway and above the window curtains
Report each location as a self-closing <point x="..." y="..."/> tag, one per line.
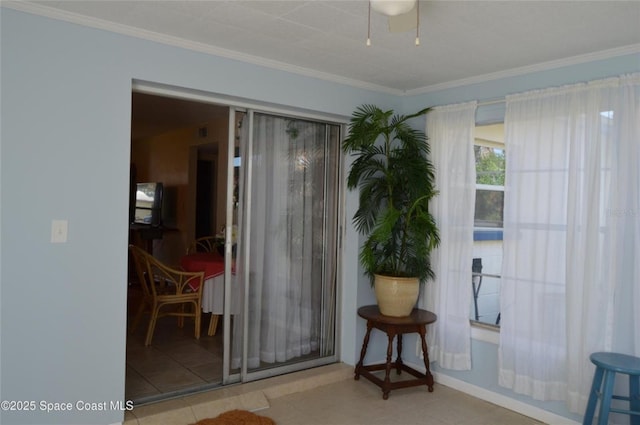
<point x="64" y="154"/>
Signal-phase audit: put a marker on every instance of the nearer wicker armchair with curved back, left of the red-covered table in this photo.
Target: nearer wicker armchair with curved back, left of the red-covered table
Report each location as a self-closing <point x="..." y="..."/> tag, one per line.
<point x="164" y="287"/>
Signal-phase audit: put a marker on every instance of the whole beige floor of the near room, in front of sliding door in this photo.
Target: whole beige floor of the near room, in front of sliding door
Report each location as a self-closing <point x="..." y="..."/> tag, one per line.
<point x="329" y="395"/>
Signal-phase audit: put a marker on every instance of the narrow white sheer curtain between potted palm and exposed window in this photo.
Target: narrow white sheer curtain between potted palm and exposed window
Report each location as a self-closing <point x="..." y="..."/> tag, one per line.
<point x="451" y="133"/>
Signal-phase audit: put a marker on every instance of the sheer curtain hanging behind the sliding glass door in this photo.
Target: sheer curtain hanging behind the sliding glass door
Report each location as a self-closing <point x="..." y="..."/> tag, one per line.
<point x="286" y="221"/>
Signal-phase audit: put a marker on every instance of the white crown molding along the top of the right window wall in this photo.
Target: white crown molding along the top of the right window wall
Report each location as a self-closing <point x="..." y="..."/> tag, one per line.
<point x="543" y="66"/>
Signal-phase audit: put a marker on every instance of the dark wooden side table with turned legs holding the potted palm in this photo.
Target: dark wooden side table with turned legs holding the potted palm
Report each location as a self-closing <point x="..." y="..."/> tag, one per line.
<point x="417" y="321"/>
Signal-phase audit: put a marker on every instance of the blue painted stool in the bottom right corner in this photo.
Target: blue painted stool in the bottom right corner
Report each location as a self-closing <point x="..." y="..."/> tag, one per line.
<point x="607" y="365"/>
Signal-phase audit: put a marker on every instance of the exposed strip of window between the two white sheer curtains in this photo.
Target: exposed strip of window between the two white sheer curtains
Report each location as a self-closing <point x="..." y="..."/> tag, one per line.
<point x="487" y="248"/>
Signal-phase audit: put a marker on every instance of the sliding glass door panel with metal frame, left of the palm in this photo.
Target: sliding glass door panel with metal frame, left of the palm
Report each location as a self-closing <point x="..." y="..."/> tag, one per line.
<point x="286" y="255"/>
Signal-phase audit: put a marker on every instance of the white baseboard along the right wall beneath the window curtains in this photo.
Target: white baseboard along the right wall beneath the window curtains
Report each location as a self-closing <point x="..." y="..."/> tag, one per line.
<point x="500" y="400"/>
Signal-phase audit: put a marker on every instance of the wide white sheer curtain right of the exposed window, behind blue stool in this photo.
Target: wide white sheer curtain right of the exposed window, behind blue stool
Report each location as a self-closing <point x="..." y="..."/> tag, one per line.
<point x="571" y="279"/>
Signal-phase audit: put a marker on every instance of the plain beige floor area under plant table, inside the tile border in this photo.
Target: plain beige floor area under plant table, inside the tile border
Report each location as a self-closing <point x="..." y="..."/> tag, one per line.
<point x="359" y="402"/>
